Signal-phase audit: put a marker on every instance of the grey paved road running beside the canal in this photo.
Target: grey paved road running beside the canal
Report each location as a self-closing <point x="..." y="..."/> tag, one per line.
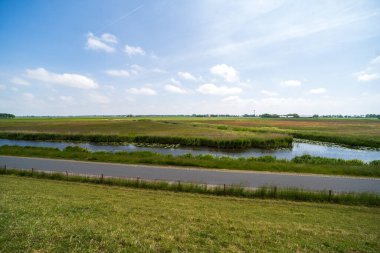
<point x="195" y="175"/>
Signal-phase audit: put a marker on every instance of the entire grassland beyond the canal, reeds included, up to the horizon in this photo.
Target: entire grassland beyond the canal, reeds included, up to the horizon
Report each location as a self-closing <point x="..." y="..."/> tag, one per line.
<point x="218" y="132"/>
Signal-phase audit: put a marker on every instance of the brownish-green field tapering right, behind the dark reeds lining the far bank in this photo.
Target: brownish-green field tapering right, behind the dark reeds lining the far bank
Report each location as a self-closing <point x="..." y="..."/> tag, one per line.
<point x="124" y="127"/>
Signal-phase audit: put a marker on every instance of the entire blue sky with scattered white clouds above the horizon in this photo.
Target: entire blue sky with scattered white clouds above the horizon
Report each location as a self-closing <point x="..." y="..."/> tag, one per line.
<point x="96" y="57"/>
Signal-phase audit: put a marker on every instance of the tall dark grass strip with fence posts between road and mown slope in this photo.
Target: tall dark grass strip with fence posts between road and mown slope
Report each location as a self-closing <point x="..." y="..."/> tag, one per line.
<point x="368" y="199"/>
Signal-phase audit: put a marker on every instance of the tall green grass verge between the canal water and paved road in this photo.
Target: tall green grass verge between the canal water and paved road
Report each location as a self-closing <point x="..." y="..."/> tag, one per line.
<point x="303" y="164"/>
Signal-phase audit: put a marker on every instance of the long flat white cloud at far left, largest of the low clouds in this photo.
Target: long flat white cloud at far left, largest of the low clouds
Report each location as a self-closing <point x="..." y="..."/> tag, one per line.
<point x="70" y="80"/>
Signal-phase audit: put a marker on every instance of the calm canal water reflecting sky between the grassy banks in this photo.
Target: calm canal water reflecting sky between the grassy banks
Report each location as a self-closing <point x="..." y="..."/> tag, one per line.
<point x="299" y="148"/>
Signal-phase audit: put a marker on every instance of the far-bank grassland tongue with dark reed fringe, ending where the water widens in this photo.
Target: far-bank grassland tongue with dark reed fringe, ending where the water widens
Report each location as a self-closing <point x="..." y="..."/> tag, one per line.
<point x="138" y="131"/>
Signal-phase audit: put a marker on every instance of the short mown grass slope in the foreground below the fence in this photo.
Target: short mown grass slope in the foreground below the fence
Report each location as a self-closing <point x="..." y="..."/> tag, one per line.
<point x="44" y="216"/>
